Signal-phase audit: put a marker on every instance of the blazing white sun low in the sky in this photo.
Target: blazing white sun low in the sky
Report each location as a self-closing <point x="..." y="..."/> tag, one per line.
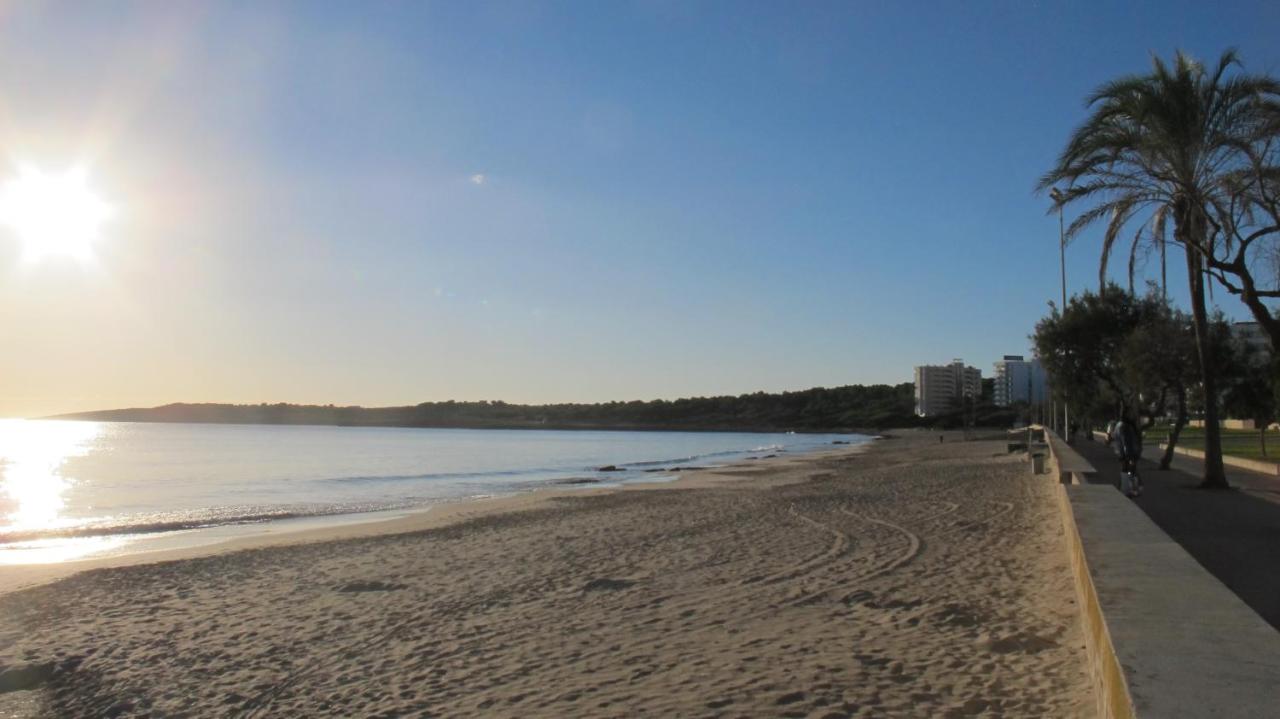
<point x="54" y="216"/>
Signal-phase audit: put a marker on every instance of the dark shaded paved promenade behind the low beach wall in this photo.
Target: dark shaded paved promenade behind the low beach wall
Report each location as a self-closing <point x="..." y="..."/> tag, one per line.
<point x="1236" y="534"/>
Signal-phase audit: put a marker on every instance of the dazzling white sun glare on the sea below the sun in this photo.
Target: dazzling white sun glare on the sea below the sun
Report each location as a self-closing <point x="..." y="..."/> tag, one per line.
<point x="33" y="479"/>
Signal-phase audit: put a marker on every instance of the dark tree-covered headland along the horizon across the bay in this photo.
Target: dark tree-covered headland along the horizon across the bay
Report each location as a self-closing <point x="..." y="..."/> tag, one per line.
<point x="836" y="410"/>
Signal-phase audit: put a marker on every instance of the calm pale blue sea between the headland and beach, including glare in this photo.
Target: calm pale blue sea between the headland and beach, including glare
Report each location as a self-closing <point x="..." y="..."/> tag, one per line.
<point x="79" y="489"/>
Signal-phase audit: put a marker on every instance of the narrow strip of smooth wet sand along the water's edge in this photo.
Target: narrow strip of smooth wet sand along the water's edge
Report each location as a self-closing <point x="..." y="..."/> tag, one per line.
<point x="337" y="528"/>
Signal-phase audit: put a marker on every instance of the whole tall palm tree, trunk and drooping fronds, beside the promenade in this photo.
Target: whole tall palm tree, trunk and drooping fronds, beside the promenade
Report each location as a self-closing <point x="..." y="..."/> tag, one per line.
<point x="1159" y="149"/>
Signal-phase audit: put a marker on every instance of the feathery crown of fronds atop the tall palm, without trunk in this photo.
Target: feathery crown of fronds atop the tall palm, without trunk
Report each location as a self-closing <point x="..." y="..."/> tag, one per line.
<point x="1203" y="141"/>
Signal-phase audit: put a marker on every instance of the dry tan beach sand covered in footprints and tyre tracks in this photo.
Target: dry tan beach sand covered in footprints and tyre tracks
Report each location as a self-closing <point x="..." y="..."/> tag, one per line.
<point x="912" y="580"/>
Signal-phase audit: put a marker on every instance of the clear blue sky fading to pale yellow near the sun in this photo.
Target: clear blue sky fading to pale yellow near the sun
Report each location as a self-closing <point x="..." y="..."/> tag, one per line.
<point x="392" y="203"/>
